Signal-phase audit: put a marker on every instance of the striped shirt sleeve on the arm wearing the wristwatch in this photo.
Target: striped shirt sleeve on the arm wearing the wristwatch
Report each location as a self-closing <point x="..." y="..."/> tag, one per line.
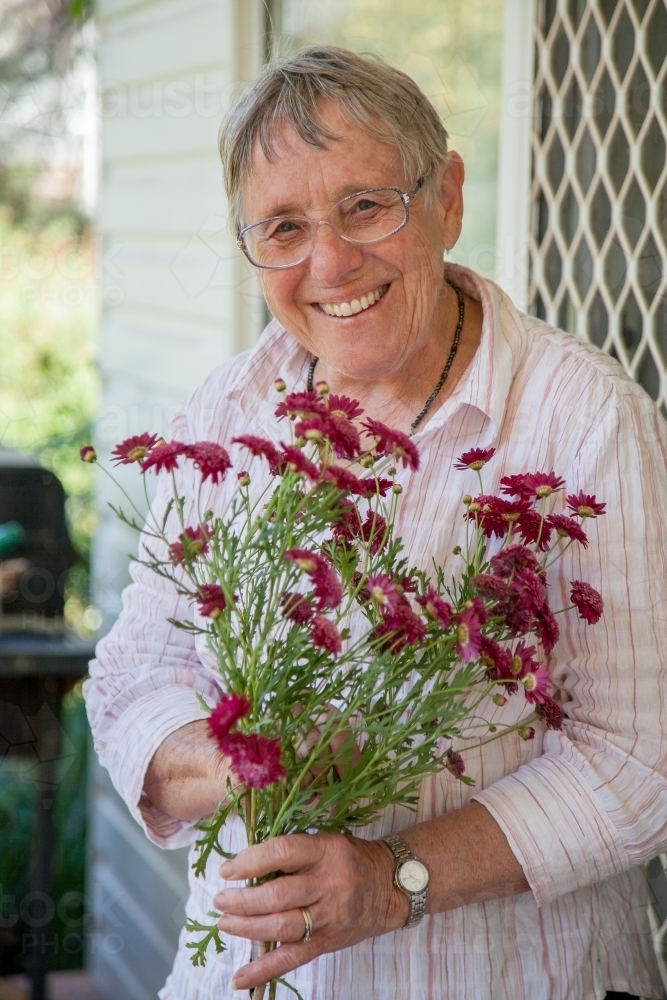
<point x="595" y="802"/>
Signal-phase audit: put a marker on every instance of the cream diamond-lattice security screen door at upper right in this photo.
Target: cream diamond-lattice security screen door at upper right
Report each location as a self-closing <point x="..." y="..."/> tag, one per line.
<point x="598" y="240"/>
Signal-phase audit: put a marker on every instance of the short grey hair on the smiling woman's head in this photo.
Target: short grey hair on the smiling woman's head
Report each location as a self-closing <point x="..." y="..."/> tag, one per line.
<point x="382" y="100"/>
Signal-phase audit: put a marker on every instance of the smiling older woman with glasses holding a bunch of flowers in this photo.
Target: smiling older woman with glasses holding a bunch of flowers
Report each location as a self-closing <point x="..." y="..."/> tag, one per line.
<point x="346" y="200"/>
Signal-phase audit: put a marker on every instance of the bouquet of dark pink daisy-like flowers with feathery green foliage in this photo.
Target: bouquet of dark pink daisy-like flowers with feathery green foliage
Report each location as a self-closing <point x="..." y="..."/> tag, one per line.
<point x="349" y="674"/>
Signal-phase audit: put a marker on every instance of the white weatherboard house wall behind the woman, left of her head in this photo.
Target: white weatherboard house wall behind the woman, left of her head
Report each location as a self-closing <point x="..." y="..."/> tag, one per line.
<point x="177" y="300"/>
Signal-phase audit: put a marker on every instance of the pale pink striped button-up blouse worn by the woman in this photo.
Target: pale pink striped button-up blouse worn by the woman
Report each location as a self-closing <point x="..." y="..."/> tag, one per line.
<point x="582" y="808"/>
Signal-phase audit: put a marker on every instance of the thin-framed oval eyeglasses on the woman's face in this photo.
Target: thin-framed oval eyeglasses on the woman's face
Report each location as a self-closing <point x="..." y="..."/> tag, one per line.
<point x="365" y="217"/>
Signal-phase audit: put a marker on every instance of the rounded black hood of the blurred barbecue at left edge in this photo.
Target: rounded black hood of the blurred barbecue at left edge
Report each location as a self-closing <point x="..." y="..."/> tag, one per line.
<point x="34" y="497"/>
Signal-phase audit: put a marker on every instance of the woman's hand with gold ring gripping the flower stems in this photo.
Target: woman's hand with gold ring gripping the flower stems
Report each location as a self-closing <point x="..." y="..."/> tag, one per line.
<point x="346" y="883"/>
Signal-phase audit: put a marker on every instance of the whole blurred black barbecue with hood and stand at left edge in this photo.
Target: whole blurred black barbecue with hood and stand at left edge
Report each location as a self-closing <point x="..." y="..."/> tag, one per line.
<point x="40" y="660"/>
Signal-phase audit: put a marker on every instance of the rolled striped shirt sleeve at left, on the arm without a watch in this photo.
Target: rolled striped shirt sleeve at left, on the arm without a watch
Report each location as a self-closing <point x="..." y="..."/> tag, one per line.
<point x="144" y="682"/>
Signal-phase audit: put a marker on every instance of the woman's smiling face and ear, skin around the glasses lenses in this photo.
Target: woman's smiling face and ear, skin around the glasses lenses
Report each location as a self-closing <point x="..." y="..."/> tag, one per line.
<point x="406" y="268"/>
